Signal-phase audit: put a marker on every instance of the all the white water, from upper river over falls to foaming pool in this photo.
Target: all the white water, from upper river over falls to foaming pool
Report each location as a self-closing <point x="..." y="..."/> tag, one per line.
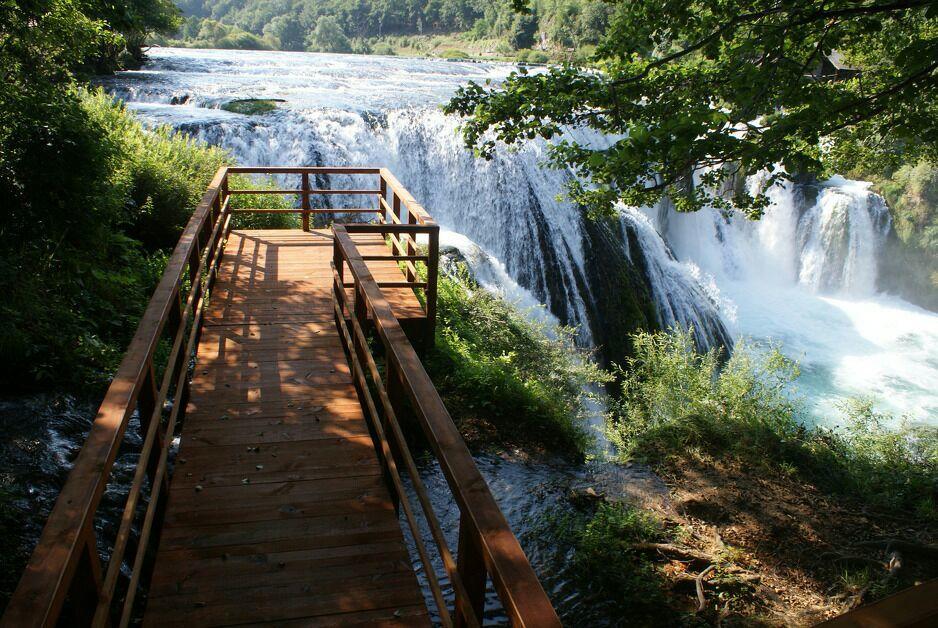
<point x="804" y="276"/>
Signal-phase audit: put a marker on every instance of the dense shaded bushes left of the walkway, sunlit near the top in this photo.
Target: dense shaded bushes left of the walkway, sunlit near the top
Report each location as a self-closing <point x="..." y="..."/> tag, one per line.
<point x="85" y="239"/>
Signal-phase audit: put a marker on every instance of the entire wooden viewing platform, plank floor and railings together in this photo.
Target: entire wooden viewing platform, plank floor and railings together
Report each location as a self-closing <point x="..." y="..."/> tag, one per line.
<point x="291" y="359"/>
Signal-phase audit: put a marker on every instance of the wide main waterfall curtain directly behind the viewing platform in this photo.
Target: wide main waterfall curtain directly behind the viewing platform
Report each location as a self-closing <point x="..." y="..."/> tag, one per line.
<point x="508" y="206"/>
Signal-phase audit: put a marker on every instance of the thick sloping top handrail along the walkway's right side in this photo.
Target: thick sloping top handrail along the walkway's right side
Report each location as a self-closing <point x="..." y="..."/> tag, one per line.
<point x="486" y="540"/>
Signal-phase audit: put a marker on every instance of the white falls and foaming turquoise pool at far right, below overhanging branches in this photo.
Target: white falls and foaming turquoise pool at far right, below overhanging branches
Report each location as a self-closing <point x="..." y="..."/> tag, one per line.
<point x="805" y="275"/>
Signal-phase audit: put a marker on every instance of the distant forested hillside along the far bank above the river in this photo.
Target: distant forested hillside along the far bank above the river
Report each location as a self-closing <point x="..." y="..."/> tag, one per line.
<point x="482" y="26"/>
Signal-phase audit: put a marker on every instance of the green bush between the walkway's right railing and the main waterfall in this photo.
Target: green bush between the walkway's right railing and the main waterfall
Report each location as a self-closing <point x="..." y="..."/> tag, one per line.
<point x="499" y="372"/>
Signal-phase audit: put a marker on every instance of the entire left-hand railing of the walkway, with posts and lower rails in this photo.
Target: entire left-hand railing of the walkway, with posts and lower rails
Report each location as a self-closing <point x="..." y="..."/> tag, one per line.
<point x="65" y="570"/>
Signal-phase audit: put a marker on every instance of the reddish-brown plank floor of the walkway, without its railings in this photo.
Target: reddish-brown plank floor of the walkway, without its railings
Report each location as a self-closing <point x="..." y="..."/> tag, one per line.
<point x="277" y="511"/>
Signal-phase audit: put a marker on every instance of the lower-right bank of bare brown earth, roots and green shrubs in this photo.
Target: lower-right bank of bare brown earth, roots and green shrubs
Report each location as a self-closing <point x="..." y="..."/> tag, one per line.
<point x="780" y="523"/>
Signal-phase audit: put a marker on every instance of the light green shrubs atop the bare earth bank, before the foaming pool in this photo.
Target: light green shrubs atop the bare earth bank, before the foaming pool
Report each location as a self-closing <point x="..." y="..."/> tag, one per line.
<point x="675" y="400"/>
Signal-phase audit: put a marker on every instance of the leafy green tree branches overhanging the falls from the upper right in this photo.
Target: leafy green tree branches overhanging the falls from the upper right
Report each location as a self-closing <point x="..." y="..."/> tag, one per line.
<point x="723" y="89"/>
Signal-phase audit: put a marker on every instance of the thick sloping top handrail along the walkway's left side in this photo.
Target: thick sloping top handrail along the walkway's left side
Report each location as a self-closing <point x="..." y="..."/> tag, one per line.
<point x="65" y="562"/>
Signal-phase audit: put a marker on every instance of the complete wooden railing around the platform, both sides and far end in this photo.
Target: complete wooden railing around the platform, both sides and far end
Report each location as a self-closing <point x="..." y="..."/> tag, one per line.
<point x="66" y="581"/>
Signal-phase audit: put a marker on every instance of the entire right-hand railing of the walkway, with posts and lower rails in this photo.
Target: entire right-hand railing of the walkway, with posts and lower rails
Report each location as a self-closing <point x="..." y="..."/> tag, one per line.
<point x="487" y="546"/>
